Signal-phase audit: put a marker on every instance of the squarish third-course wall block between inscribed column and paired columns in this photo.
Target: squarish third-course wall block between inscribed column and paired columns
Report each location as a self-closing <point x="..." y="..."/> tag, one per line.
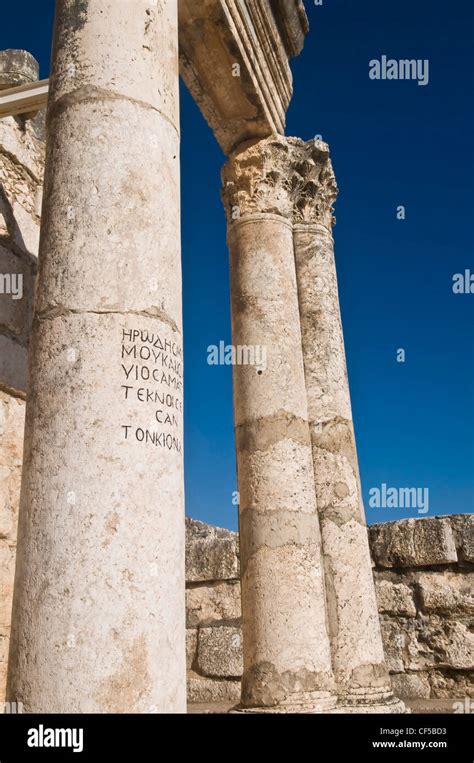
<point x="220" y="651"/>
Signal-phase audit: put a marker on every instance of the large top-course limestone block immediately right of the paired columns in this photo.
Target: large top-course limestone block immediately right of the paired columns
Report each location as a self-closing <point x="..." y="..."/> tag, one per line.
<point x="413" y="543"/>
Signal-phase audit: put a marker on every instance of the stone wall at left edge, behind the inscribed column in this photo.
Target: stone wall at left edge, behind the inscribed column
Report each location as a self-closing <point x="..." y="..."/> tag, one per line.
<point x="21" y="177"/>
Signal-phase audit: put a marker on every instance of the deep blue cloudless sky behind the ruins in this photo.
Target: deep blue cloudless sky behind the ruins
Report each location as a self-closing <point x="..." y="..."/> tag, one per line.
<point x="393" y="143"/>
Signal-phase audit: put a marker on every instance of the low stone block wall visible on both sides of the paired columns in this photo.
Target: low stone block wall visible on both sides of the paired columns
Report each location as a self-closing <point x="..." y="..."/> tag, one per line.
<point x="424" y="576"/>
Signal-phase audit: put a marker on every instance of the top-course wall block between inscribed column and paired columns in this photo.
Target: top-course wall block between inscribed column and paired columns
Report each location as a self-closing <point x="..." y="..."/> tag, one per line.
<point x="211" y="553"/>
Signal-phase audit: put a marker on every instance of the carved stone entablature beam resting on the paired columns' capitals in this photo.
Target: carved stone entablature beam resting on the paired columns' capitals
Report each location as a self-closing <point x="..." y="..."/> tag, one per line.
<point x="234" y="59"/>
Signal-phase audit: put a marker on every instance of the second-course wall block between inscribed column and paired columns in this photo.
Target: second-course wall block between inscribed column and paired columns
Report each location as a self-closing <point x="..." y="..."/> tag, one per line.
<point x="206" y="604"/>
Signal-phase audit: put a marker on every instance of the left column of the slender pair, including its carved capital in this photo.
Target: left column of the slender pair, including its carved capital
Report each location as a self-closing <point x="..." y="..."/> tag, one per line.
<point x="287" y="664"/>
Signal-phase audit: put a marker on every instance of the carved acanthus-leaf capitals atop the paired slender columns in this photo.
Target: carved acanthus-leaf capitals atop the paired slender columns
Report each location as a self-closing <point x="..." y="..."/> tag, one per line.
<point x="283" y="176"/>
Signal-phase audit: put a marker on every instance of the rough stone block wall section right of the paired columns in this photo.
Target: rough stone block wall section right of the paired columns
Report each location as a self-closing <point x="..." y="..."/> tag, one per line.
<point x="425" y="587"/>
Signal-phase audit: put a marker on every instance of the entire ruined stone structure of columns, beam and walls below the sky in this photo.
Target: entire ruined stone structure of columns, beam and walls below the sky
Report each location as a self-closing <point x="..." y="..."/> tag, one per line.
<point x="98" y="621"/>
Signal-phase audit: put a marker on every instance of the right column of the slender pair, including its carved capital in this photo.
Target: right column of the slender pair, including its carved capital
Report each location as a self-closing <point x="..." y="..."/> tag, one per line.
<point x="362" y="679"/>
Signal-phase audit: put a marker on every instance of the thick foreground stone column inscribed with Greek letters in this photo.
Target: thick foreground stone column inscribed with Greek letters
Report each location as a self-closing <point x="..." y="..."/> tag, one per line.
<point x="98" y="617"/>
